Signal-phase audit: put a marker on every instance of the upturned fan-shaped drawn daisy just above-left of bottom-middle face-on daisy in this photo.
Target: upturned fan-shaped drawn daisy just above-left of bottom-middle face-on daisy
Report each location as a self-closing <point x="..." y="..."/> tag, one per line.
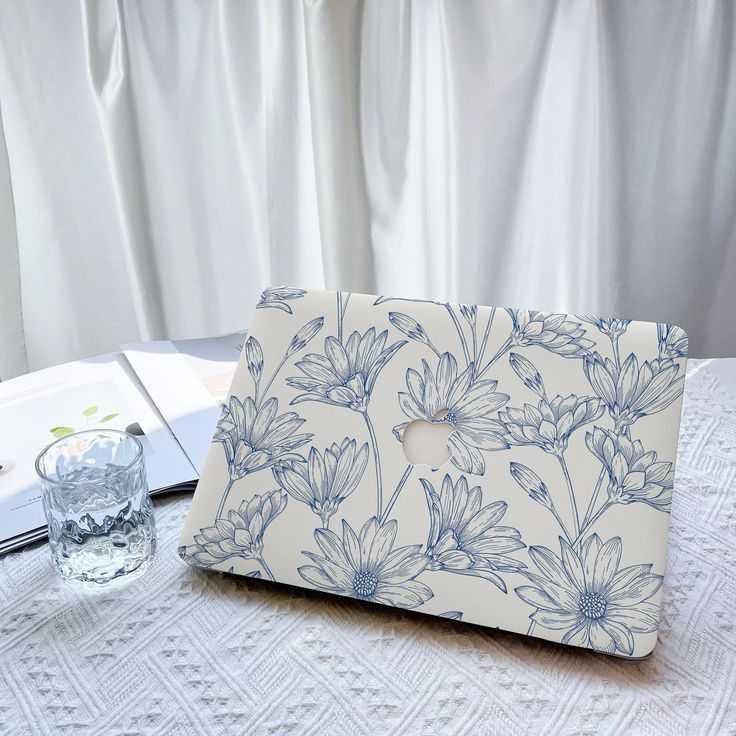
<point x="326" y="479"/>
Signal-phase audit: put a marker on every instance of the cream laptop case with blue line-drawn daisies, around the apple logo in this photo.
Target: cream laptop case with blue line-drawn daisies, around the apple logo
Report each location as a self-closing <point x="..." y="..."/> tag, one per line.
<point x="550" y="515"/>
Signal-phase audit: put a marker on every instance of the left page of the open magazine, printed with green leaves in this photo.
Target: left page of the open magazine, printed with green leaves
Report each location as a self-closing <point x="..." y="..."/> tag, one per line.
<point x="40" y="407"/>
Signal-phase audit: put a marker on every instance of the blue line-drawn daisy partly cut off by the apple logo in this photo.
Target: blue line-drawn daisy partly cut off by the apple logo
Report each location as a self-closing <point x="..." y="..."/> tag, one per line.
<point x="457" y="400"/>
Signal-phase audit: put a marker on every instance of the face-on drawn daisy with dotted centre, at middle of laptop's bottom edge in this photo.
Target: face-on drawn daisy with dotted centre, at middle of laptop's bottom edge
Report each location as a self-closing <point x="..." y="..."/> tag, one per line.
<point x="366" y="566"/>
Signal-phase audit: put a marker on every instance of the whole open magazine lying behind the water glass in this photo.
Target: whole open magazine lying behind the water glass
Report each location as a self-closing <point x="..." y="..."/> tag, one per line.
<point x="167" y="393"/>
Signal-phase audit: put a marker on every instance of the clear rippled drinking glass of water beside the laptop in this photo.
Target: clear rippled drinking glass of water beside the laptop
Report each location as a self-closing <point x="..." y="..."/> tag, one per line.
<point x="100" y="516"/>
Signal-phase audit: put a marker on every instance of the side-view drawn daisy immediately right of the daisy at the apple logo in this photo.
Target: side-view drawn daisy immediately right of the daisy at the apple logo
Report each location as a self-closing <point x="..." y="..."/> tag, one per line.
<point x="549" y="424"/>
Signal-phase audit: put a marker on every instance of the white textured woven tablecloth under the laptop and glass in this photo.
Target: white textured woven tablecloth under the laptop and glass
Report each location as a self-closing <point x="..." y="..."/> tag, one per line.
<point x="182" y="651"/>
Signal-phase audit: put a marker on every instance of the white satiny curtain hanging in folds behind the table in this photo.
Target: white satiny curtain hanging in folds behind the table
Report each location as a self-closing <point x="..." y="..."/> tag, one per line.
<point x="167" y="160"/>
